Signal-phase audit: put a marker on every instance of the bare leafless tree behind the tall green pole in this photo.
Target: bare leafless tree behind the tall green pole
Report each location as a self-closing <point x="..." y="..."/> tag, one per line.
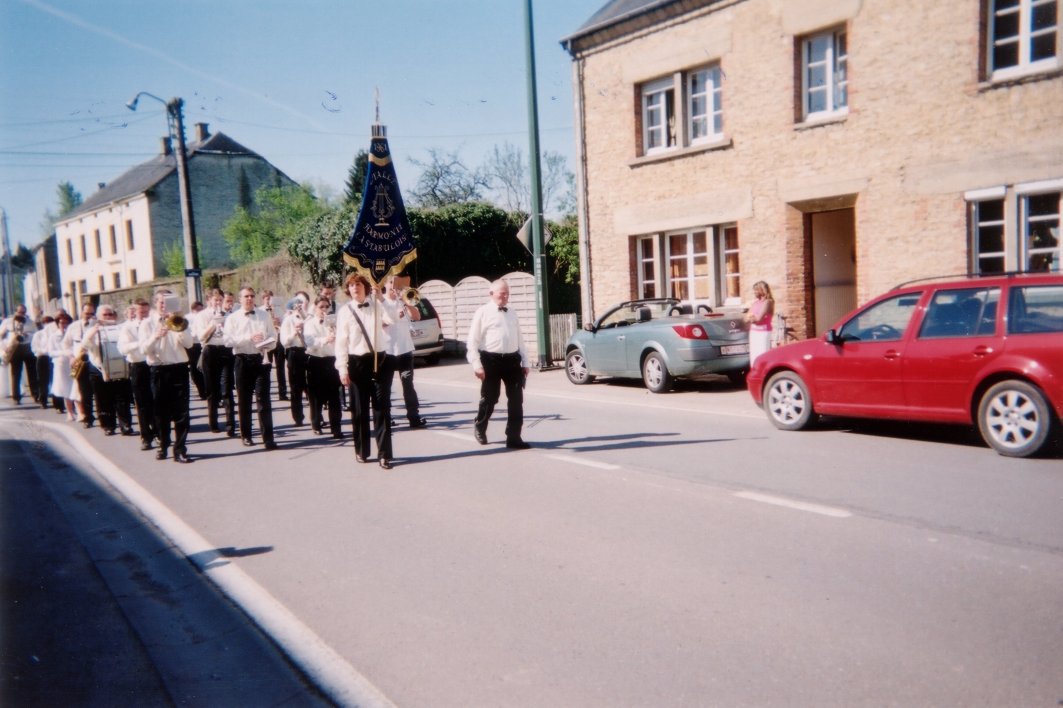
<point x="510" y="178"/>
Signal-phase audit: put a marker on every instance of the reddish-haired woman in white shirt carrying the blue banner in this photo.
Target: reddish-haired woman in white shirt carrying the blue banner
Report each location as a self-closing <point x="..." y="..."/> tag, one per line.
<point x="361" y="358"/>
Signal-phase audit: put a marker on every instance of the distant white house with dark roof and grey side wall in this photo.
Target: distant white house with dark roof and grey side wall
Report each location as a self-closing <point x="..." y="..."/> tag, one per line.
<point x="119" y="238"/>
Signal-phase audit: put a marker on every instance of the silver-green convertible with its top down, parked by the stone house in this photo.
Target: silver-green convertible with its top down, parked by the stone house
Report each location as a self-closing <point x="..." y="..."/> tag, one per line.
<point x="659" y="341"/>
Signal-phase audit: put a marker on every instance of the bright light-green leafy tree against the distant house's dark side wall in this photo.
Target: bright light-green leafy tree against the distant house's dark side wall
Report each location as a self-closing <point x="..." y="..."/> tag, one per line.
<point x="273" y="222"/>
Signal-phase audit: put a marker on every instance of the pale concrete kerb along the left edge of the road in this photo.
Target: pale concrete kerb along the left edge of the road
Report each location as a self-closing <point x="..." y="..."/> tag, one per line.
<point x="329" y="671"/>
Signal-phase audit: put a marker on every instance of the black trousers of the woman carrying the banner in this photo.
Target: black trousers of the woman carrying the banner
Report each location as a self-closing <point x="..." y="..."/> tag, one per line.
<point x="372" y="395"/>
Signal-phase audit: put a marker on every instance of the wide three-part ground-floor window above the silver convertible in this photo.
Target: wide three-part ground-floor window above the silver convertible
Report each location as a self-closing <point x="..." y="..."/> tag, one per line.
<point x="698" y="265"/>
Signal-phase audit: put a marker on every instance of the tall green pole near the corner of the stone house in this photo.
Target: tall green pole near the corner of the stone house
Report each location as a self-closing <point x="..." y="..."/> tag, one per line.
<point x="538" y="248"/>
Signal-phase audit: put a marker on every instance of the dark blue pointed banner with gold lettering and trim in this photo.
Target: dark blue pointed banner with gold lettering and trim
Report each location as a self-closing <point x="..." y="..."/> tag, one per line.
<point x="382" y="242"/>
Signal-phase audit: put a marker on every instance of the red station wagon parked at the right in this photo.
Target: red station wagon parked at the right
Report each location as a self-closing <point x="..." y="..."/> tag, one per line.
<point x="986" y="350"/>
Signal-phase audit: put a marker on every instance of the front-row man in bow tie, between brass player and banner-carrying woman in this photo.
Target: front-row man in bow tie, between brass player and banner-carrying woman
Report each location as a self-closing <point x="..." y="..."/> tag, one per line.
<point x="251" y="334"/>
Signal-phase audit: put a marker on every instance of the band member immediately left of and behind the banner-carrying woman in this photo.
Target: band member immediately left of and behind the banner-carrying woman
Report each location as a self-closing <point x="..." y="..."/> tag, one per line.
<point x="324" y="386"/>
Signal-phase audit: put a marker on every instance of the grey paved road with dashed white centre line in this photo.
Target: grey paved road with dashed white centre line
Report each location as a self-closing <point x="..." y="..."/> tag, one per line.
<point x="652" y="550"/>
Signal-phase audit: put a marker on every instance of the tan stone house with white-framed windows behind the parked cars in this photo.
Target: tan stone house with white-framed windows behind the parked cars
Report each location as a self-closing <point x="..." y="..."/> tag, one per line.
<point x="832" y="148"/>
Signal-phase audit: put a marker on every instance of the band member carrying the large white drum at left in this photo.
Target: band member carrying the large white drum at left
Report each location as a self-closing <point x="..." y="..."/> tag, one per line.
<point x="109" y="374"/>
